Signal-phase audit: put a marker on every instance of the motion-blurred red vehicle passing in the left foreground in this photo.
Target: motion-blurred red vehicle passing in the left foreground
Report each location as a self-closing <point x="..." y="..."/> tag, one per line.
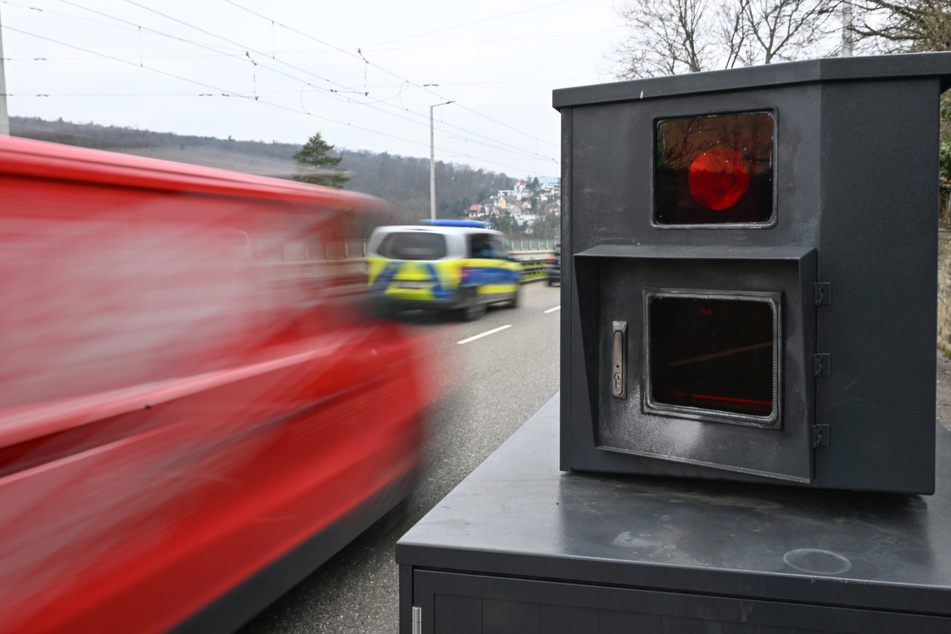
<point x="194" y="410"/>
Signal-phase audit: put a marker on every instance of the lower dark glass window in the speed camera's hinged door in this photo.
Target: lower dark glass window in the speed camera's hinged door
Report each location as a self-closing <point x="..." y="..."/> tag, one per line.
<point x="712" y="354"/>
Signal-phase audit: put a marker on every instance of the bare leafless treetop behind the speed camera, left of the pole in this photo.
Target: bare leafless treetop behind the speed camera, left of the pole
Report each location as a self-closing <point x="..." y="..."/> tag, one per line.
<point x="680" y="36"/>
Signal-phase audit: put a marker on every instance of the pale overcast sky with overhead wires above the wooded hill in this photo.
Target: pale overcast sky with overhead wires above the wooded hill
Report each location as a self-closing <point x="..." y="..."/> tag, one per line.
<point x="363" y="73"/>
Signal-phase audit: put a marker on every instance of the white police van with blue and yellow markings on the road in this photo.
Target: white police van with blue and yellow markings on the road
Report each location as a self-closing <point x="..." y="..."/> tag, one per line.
<point x="445" y="264"/>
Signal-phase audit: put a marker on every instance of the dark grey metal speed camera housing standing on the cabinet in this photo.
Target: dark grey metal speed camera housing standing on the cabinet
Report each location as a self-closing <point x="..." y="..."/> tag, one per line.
<point x="835" y="260"/>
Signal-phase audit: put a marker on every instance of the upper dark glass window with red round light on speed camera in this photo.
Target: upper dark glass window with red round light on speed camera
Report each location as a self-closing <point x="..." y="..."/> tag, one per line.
<point x="714" y="170"/>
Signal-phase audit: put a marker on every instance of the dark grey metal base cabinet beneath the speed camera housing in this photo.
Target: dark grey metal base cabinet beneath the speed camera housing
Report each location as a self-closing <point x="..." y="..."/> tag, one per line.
<point x="521" y="547"/>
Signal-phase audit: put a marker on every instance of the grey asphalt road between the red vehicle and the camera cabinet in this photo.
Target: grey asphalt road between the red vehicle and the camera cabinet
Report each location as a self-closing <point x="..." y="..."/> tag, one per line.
<point x="492" y="384"/>
